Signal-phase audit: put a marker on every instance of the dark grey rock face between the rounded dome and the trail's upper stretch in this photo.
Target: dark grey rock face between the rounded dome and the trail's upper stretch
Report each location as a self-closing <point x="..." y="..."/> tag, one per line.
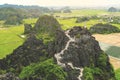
<point x="59" y="43"/>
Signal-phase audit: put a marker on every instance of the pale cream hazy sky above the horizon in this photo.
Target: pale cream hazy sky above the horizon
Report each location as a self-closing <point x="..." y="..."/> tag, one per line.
<point x="63" y="2"/>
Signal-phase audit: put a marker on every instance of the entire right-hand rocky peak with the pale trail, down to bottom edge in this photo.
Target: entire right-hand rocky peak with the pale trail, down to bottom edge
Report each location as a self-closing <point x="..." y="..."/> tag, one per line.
<point x="80" y="51"/>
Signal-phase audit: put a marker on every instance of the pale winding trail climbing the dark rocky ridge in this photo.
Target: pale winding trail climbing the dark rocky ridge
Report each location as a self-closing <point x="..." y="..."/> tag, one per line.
<point x="58" y="56"/>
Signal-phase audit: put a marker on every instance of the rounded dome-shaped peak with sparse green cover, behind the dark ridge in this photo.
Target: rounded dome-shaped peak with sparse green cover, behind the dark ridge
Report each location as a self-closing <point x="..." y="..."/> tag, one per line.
<point x="47" y="24"/>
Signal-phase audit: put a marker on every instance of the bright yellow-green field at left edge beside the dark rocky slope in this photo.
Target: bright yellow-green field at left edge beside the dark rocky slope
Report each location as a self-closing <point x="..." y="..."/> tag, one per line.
<point x="10" y="40"/>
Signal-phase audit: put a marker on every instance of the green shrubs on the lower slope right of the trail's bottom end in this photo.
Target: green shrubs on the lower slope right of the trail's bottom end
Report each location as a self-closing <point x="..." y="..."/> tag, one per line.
<point x="101" y="69"/>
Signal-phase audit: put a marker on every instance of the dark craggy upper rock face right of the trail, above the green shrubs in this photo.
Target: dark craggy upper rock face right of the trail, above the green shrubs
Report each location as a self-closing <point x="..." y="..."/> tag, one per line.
<point x="79" y="47"/>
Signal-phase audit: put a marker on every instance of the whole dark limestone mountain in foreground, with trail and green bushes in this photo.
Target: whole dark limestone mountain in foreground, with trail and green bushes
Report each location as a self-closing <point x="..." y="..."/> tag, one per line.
<point x="75" y="53"/>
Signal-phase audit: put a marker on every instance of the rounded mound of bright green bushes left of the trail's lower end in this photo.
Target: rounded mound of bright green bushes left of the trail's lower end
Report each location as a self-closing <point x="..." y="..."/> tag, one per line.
<point x="47" y="70"/>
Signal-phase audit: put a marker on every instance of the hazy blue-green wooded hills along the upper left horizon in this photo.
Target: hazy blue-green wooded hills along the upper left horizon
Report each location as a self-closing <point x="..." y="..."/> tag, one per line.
<point x="7" y="10"/>
